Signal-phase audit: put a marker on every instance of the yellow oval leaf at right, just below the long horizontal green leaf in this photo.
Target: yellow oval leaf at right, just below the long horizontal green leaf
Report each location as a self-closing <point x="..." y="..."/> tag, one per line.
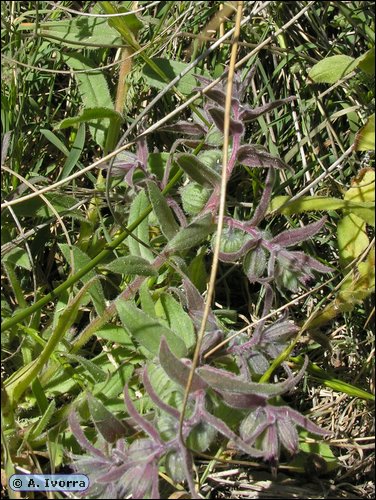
<point x="352" y="238"/>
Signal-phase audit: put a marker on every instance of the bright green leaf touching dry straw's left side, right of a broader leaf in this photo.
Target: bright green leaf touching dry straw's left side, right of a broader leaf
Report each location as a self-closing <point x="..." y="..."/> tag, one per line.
<point x="169" y="309"/>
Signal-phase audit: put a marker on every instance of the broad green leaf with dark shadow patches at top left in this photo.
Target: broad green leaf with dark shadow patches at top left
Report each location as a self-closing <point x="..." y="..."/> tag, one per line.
<point x="76" y="32"/>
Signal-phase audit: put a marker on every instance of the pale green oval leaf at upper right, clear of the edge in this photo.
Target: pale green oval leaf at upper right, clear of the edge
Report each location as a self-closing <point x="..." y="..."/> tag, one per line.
<point x="331" y="69"/>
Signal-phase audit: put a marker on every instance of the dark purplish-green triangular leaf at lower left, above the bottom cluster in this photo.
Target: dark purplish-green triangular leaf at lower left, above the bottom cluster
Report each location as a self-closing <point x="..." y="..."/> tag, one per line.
<point x="106" y="423"/>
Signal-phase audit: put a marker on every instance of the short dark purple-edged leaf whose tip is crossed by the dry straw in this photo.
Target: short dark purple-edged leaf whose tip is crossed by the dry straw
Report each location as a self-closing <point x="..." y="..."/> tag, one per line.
<point x="177" y="370"/>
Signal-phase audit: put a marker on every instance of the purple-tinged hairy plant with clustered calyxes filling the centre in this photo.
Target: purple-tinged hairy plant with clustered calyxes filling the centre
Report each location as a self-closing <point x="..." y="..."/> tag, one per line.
<point x="226" y="402"/>
